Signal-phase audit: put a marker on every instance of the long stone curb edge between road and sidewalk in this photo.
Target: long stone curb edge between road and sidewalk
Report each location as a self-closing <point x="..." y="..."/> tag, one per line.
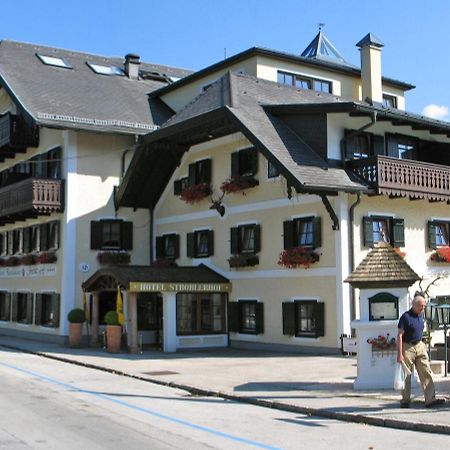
<point x="326" y="413"/>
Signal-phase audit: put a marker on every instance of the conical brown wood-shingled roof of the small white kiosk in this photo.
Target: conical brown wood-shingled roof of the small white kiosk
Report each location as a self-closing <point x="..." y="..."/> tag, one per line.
<point x="382" y="267"/>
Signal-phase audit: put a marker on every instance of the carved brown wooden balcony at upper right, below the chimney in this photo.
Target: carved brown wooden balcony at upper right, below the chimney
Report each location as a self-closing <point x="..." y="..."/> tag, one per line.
<point x="404" y="178"/>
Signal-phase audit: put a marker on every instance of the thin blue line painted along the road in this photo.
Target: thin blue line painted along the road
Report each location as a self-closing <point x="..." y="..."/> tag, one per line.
<point x="140" y="409"/>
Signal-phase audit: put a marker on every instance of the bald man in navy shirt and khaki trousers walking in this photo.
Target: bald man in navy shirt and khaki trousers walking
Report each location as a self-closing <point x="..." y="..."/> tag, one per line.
<point x="413" y="352"/>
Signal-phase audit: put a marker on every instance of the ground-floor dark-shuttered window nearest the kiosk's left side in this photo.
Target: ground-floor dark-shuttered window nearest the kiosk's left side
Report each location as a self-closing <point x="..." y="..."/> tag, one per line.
<point x="304" y="318"/>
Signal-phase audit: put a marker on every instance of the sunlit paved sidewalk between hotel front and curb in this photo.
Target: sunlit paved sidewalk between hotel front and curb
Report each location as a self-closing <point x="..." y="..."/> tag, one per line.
<point x="315" y="385"/>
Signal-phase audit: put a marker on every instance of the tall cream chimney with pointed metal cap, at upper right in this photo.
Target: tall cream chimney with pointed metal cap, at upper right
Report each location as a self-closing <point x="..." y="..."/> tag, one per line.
<point x="370" y="47"/>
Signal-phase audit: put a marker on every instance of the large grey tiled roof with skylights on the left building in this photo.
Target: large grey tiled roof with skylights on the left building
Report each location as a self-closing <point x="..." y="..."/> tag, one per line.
<point x="77" y="97"/>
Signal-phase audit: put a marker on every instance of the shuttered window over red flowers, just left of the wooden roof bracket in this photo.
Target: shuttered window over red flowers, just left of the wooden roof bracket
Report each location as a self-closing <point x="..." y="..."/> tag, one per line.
<point x="302" y="232"/>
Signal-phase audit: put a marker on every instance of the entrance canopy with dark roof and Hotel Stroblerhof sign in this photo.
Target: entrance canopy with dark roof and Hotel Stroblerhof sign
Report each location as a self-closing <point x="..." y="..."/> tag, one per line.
<point x="158" y="279"/>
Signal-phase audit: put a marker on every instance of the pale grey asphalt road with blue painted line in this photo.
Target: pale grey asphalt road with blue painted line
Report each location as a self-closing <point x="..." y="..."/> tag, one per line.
<point x="54" y="405"/>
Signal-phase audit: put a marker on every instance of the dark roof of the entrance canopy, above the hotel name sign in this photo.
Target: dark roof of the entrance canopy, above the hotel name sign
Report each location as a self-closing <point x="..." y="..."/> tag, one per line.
<point x="185" y="274"/>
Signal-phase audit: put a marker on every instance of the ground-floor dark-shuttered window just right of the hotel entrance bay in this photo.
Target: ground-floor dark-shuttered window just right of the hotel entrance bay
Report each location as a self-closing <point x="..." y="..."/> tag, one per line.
<point x="246" y="316"/>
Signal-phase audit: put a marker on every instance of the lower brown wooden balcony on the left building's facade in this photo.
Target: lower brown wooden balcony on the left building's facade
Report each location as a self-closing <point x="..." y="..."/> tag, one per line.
<point x="31" y="198"/>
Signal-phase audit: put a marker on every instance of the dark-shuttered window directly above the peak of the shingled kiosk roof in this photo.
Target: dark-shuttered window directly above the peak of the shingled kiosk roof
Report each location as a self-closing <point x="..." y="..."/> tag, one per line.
<point x="388" y="229"/>
